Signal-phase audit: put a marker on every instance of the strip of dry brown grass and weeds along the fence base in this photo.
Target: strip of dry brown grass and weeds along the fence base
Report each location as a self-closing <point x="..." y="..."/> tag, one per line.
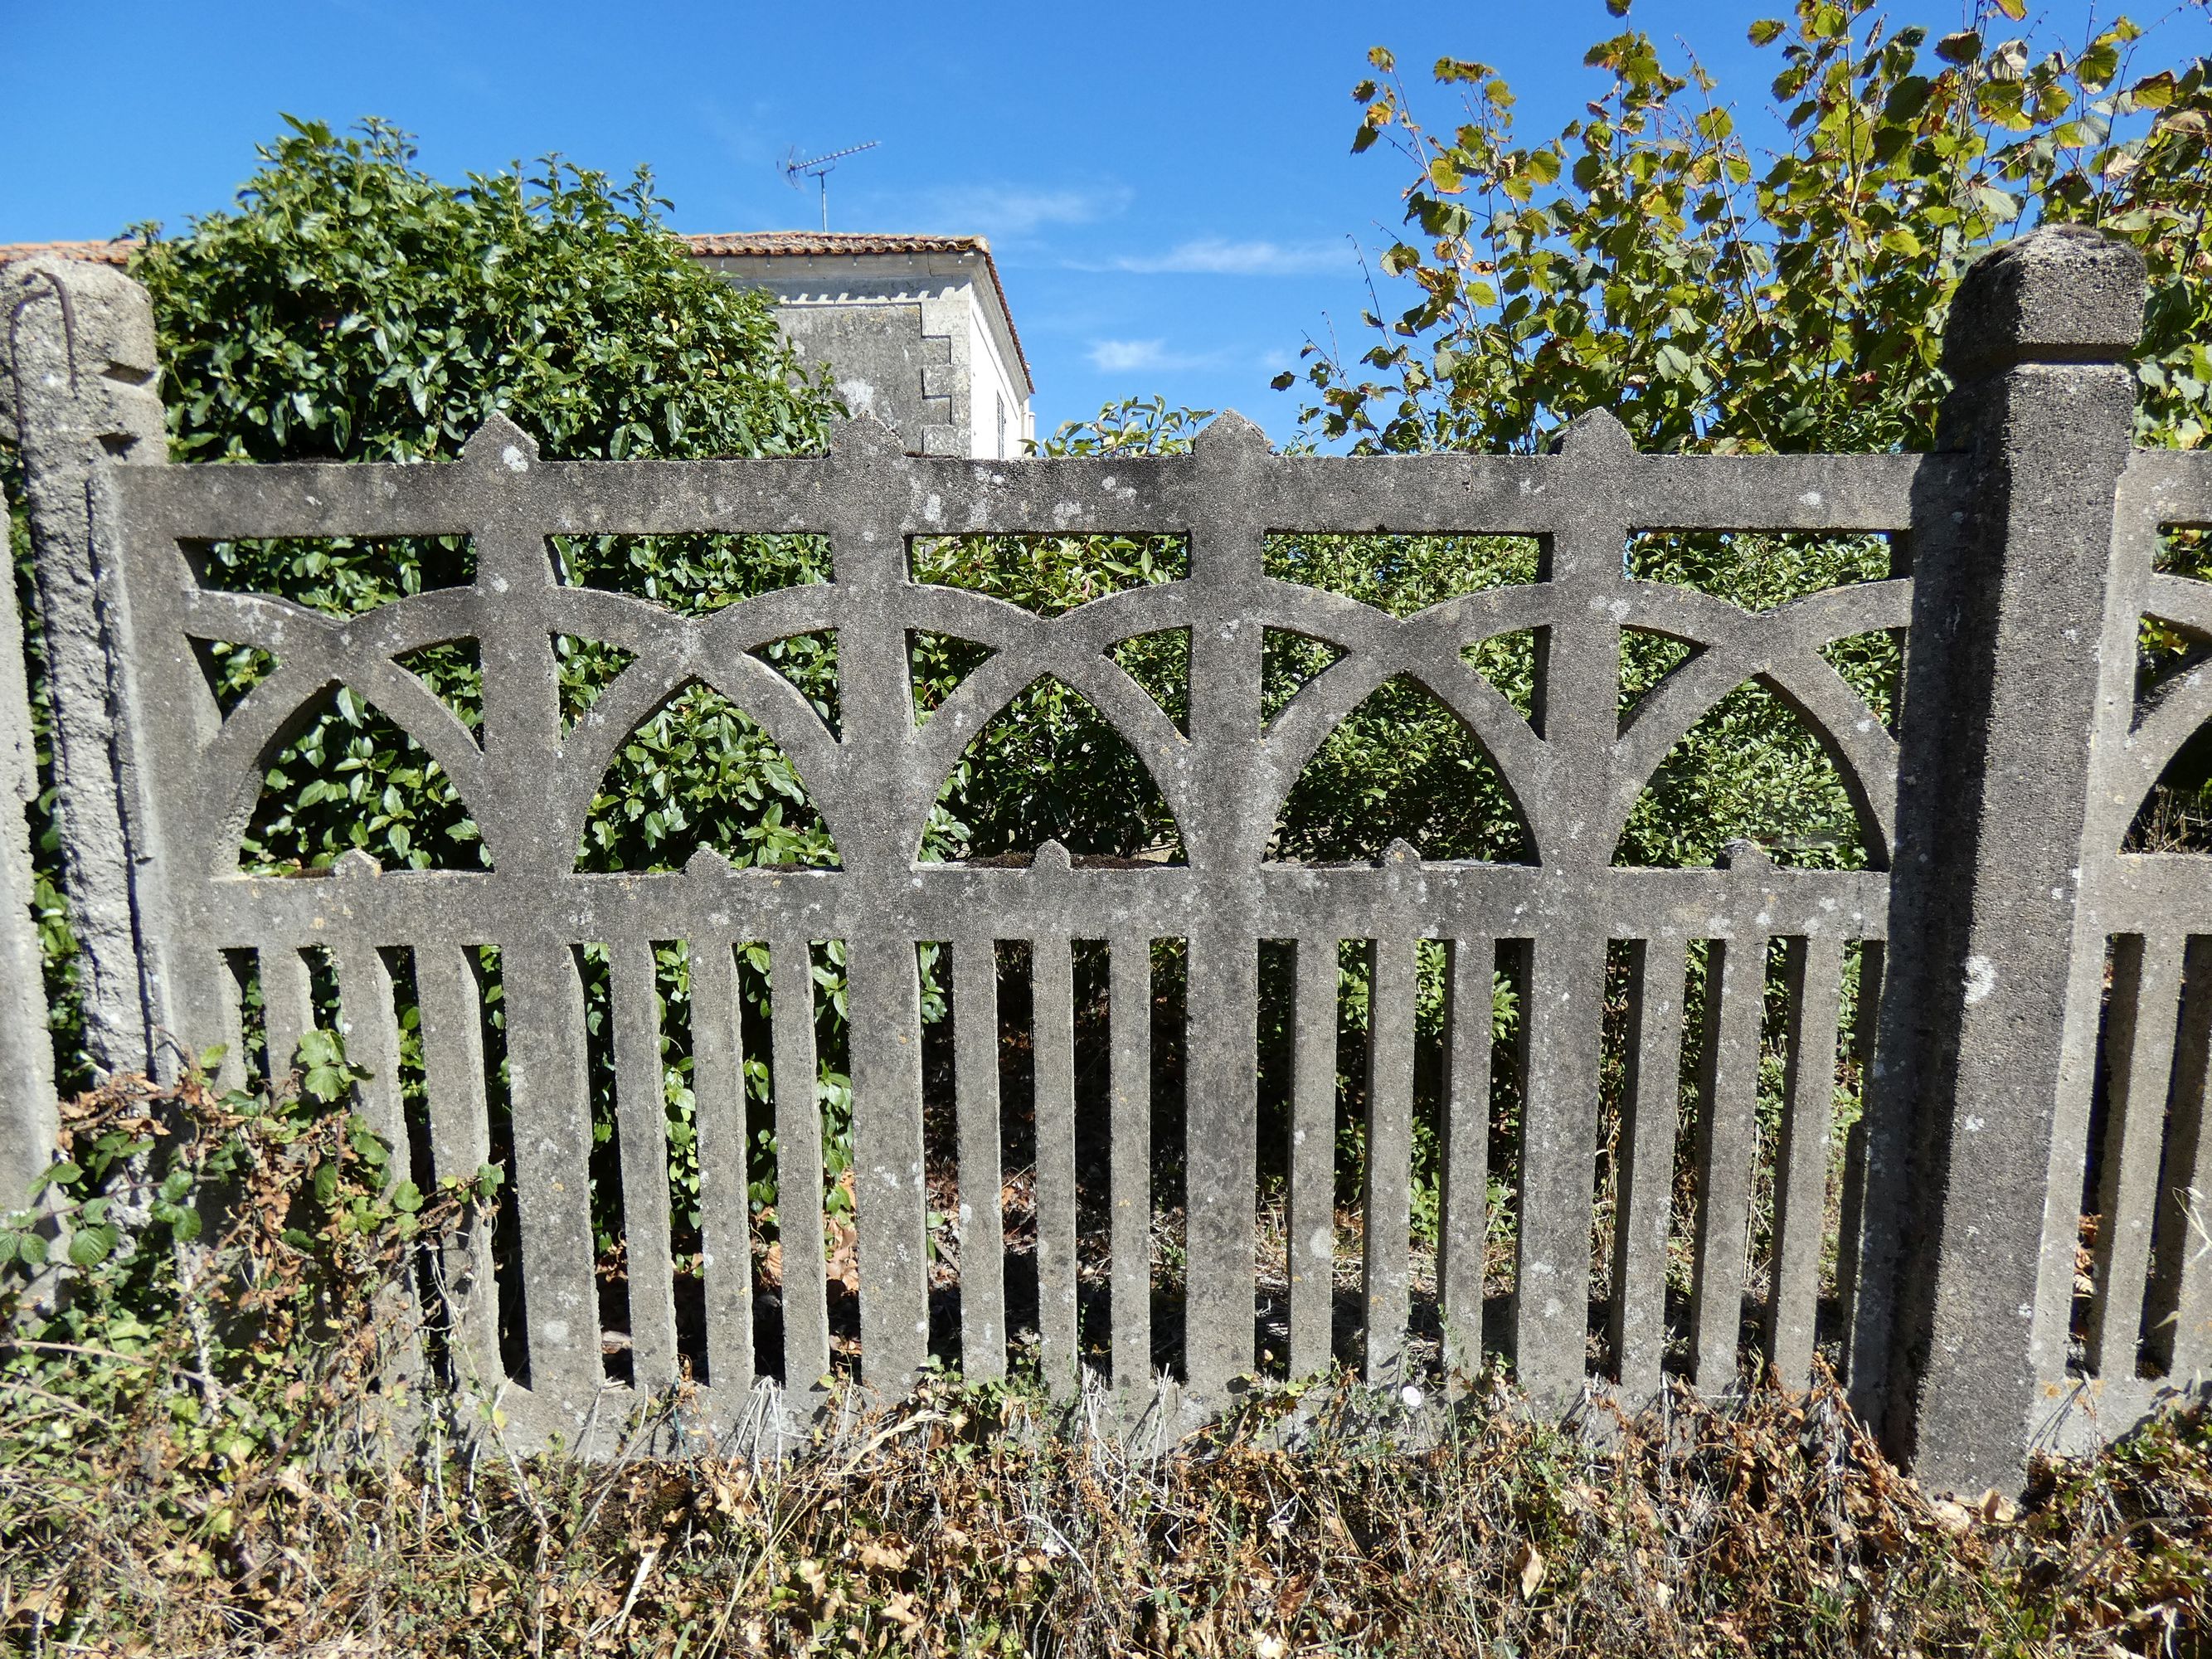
<point x="966" y="1523"/>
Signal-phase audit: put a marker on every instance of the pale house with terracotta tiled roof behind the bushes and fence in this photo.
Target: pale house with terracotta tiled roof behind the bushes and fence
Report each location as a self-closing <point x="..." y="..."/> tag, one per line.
<point x="915" y="328"/>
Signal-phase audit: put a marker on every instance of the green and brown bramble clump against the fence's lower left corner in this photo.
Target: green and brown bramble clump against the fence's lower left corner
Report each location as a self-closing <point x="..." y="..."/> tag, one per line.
<point x="233" y="1262"/>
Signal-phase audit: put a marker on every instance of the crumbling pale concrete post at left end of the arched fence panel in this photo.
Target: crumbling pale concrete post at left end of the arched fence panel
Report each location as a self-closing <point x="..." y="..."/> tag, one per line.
<point x="85" y="390"/>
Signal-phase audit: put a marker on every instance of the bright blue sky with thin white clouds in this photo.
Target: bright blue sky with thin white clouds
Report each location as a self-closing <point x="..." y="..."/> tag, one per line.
<point x="1169" y="189"/>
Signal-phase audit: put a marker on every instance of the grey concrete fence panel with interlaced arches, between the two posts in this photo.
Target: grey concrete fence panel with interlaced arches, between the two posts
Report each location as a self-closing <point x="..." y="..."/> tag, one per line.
<point x="1576" y="771"/>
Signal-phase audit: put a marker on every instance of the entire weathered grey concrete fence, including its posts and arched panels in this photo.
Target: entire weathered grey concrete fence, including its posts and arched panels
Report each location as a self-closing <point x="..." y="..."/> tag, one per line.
<point x="1996" y="906"/>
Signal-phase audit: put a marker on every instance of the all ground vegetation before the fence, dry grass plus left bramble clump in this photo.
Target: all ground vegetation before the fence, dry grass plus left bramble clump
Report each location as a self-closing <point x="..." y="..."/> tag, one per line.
<point x="145" y="1512"/>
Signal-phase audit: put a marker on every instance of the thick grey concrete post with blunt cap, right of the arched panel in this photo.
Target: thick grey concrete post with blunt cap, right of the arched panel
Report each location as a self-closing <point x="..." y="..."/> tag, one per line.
<point x="1987" y="912"/>
